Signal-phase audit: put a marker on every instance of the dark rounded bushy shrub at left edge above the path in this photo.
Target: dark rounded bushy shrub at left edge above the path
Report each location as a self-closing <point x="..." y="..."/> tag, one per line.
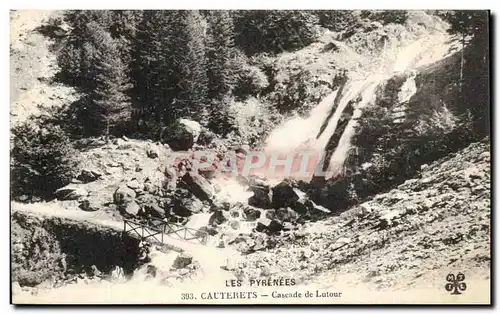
<point x="42" y="160"/>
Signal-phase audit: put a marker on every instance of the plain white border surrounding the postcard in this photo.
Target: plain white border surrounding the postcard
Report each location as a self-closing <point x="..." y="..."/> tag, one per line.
<point x="193" y="4"/>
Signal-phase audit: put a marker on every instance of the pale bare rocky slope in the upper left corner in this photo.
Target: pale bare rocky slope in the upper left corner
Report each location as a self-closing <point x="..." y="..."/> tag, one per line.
<point x="33" y="66"/>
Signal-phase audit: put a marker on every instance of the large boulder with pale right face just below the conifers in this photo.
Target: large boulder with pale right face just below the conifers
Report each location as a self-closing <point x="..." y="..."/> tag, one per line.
<point x="181" y="135"/>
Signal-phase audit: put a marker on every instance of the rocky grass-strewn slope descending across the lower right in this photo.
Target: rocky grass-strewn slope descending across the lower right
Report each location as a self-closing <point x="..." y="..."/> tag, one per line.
<point x="439" y="220"/>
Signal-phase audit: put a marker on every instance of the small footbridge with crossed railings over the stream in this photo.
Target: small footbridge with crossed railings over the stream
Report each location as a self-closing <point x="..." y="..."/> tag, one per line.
<point x="160" y="230"/>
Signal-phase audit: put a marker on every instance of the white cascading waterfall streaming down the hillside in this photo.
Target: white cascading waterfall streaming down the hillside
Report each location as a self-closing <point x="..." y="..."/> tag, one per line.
<point x="330" y="126"/>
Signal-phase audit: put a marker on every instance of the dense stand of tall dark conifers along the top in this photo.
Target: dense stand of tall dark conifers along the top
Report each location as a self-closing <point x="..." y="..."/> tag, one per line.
<point x="144" y="69"/>
